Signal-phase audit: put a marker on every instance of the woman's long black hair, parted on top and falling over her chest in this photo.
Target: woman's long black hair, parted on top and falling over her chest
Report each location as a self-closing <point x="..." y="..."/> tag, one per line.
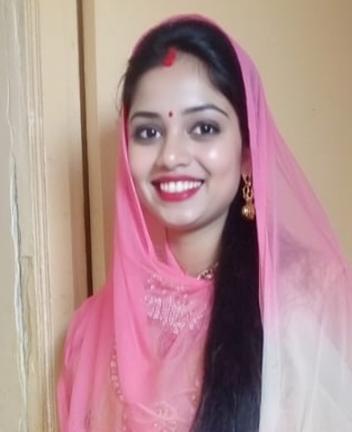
<point x="231" y="388"/>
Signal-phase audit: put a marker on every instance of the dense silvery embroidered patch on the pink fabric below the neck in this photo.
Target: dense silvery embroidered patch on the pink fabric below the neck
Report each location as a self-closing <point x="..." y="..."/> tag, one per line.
<point x="172" y="307"/>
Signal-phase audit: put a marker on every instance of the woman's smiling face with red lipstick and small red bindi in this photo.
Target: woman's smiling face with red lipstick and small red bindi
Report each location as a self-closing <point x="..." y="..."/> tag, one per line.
<point x="184" y="146"/>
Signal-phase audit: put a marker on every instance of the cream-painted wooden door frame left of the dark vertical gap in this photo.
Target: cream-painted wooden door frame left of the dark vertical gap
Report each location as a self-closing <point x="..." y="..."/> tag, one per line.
<point x="47" y="195"/>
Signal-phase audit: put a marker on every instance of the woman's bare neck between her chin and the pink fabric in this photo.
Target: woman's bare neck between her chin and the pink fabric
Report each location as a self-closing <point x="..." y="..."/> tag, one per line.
<point x="196" y="250"/>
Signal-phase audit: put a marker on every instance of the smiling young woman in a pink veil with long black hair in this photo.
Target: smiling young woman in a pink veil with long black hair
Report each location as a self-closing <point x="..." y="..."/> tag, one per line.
<point x="228" y="304"/>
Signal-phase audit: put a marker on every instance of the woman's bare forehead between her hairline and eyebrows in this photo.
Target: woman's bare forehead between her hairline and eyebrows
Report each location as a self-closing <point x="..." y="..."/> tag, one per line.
<point x="179" y="86"/>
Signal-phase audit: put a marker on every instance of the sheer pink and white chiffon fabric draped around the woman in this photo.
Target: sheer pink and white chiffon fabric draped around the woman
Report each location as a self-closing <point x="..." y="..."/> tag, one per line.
<point x="133" y="354"/>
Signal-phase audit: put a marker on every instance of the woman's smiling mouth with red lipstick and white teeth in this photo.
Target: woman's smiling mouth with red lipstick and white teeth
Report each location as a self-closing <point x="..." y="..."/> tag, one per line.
<point x="180" y="188"/>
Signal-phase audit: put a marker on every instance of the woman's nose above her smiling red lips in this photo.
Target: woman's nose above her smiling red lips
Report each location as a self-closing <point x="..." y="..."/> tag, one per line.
<point x="174" y="151"/>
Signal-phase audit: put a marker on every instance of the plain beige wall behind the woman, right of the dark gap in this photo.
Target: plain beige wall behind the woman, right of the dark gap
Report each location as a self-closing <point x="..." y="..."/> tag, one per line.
<point x="303" y="51"/>
